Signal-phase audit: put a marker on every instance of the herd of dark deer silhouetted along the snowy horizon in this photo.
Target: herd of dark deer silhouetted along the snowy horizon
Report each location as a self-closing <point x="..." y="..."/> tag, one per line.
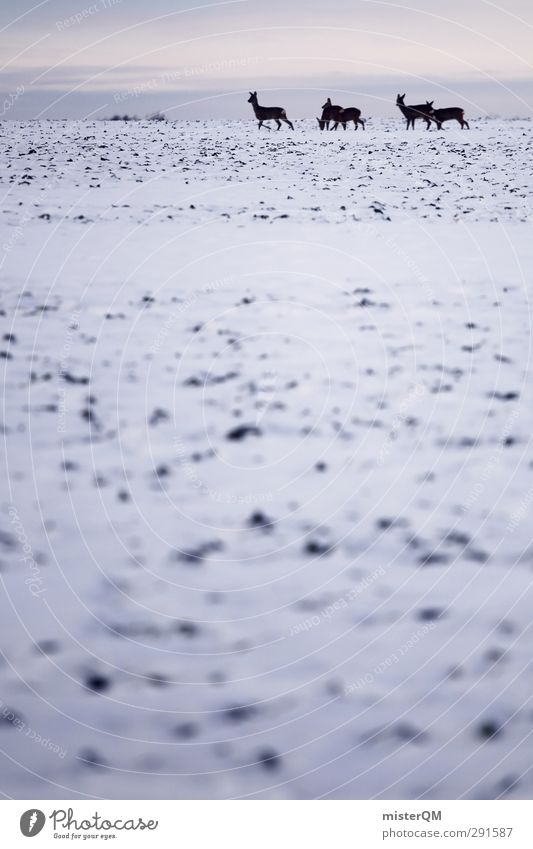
<point x="334" y="114"/>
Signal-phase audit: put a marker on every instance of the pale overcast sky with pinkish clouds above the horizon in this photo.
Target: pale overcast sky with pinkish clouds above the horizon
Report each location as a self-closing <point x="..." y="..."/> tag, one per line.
<point x="80" y="58"/>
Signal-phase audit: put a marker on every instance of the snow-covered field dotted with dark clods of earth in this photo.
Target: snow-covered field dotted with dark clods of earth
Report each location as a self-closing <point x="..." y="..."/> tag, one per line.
<point x="267" y="410"/>
